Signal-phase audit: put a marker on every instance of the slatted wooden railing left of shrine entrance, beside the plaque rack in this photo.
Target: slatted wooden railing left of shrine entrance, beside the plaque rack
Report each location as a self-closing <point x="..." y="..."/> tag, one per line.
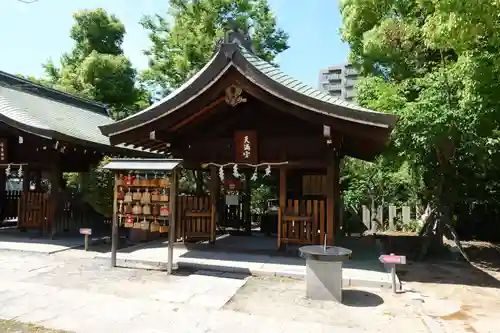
<point x="194" y="217"/>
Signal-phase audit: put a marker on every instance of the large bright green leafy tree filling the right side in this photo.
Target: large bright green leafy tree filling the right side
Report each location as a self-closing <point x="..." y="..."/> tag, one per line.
<point x="434" y="63"/>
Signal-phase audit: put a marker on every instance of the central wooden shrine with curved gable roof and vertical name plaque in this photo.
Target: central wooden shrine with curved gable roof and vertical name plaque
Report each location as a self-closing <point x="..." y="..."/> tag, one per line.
<point x="241" y="114"/>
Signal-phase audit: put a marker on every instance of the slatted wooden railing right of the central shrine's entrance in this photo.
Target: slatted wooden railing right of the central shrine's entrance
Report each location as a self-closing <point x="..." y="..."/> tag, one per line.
<point x="302" y="222"/>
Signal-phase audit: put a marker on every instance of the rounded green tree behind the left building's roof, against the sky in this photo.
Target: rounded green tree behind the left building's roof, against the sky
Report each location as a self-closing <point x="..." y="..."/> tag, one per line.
<point x="96" y="67"/>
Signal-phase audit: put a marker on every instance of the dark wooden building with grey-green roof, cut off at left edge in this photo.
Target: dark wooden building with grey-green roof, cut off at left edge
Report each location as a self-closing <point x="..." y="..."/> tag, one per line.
<point x="43" y="133"/>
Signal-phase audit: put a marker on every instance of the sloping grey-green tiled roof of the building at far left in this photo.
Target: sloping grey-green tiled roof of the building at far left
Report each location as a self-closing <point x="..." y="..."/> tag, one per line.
<point x="51" y="114"/>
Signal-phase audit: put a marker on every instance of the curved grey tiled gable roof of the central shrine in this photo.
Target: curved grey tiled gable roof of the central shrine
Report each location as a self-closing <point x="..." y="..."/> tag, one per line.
<point x="235" y="53"/>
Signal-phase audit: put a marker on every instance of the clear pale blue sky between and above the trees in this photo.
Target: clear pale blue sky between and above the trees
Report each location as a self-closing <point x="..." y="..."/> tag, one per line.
<point x="33" y="33"/>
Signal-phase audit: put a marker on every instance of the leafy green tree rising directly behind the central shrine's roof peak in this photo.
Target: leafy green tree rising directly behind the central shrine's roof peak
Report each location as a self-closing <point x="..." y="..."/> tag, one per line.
<point x="182" y="48"/>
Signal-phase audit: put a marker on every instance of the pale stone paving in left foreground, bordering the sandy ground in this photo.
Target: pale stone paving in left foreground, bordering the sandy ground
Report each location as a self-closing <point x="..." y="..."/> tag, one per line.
<point x="74" y="292"/>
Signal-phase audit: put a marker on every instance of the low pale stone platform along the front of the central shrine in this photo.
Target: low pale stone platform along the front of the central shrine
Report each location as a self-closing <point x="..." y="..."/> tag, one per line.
<point x="153" y="255"/>
